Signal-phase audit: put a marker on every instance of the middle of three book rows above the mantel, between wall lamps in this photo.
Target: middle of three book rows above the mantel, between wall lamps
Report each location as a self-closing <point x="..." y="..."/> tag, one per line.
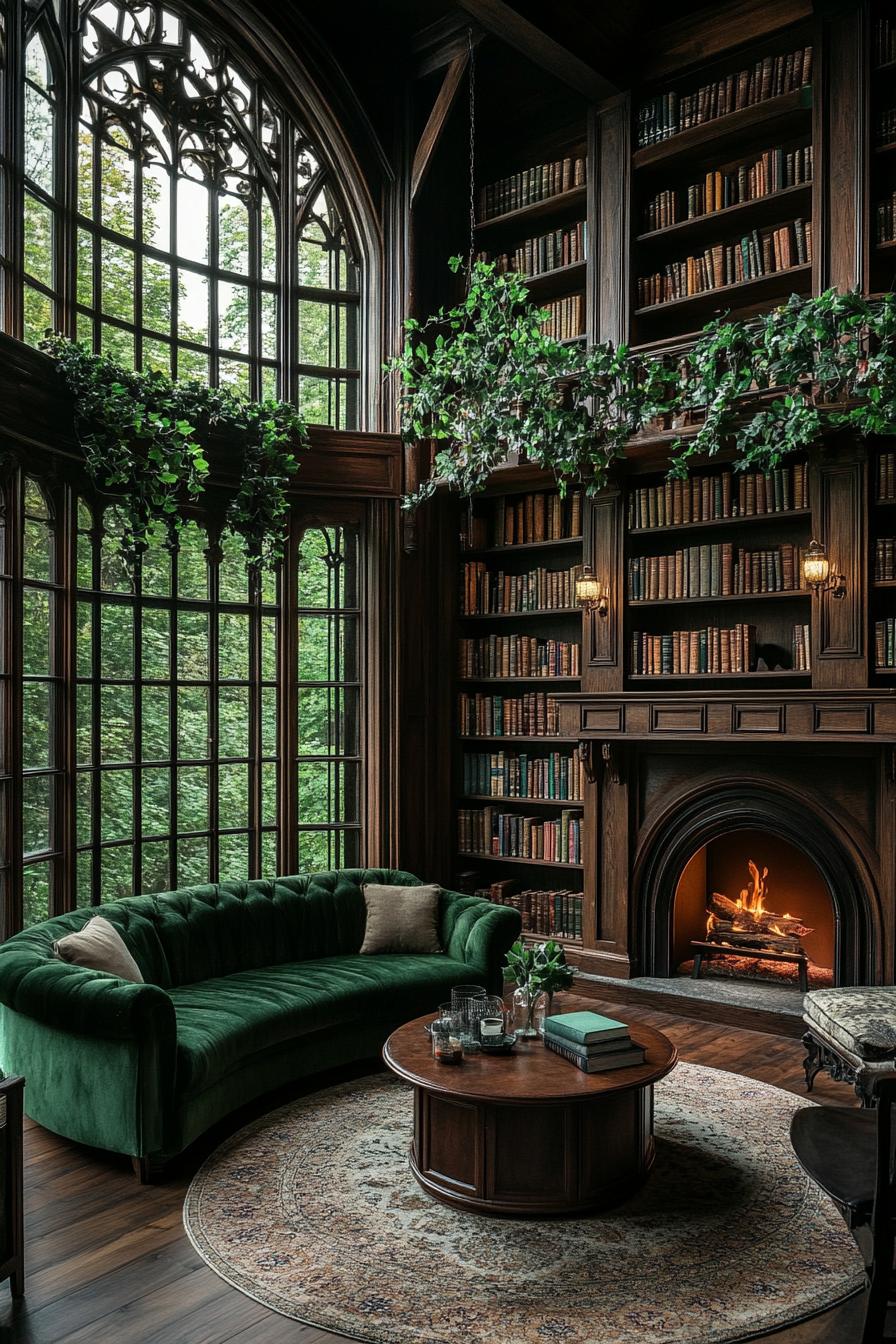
<point x="719" y="571"/>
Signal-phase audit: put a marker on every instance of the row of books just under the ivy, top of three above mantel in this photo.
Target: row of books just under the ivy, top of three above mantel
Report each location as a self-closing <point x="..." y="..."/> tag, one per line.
<point x="703" y="499"/>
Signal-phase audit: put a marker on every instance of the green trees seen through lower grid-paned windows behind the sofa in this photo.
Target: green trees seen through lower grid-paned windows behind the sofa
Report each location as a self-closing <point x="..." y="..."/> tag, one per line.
<point x="151" y="747"/>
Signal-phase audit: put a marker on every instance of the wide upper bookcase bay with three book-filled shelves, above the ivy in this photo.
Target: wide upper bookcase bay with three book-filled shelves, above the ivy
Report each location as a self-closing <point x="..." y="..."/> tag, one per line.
<point x="741" y="241"/>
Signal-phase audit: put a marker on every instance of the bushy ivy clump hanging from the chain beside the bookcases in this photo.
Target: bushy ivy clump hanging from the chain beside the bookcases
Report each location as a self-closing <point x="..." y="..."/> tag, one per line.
<point x="483" y="381"/>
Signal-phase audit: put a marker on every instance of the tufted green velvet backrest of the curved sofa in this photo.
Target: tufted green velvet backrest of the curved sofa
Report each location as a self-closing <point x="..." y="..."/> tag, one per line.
<point x="199" y="933"/>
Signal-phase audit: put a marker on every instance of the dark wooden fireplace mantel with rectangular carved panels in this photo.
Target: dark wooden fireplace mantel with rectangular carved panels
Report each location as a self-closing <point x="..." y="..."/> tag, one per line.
<point x="868" y="717"/>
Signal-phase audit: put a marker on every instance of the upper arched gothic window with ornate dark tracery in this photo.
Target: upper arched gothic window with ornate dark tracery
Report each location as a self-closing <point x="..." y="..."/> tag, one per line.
<point x="173" y="213"/>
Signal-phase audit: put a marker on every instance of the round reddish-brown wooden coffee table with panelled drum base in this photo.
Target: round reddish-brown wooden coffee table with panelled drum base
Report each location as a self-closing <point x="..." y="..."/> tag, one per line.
<point x="529" y="1134"/>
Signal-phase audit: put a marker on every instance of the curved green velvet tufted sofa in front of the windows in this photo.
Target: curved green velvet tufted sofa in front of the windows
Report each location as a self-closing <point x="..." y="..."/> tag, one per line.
<point x="249" y="986"/>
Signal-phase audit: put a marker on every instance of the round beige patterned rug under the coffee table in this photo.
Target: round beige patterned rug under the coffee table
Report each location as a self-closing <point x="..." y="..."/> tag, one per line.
<point x="314" y="1213"/>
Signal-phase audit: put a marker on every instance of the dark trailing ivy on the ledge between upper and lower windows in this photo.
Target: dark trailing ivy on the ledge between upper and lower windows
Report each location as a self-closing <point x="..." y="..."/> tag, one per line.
<point x="142" y="436"/>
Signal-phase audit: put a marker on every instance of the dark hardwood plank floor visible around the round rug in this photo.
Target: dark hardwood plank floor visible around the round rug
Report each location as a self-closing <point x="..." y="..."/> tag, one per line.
<point x="108" y="1261"/>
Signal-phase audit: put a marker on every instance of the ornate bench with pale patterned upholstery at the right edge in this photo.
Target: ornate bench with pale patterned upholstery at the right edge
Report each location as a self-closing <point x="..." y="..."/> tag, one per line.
<point x="852" y="1034"/>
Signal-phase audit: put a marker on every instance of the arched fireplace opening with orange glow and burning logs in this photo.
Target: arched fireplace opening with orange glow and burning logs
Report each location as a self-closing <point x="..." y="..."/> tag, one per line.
<point x="754" y="907"/>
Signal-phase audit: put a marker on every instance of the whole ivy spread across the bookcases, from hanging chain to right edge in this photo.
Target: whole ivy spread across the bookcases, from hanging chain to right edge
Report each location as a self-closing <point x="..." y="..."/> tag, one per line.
<point x="482" y="380"/>
